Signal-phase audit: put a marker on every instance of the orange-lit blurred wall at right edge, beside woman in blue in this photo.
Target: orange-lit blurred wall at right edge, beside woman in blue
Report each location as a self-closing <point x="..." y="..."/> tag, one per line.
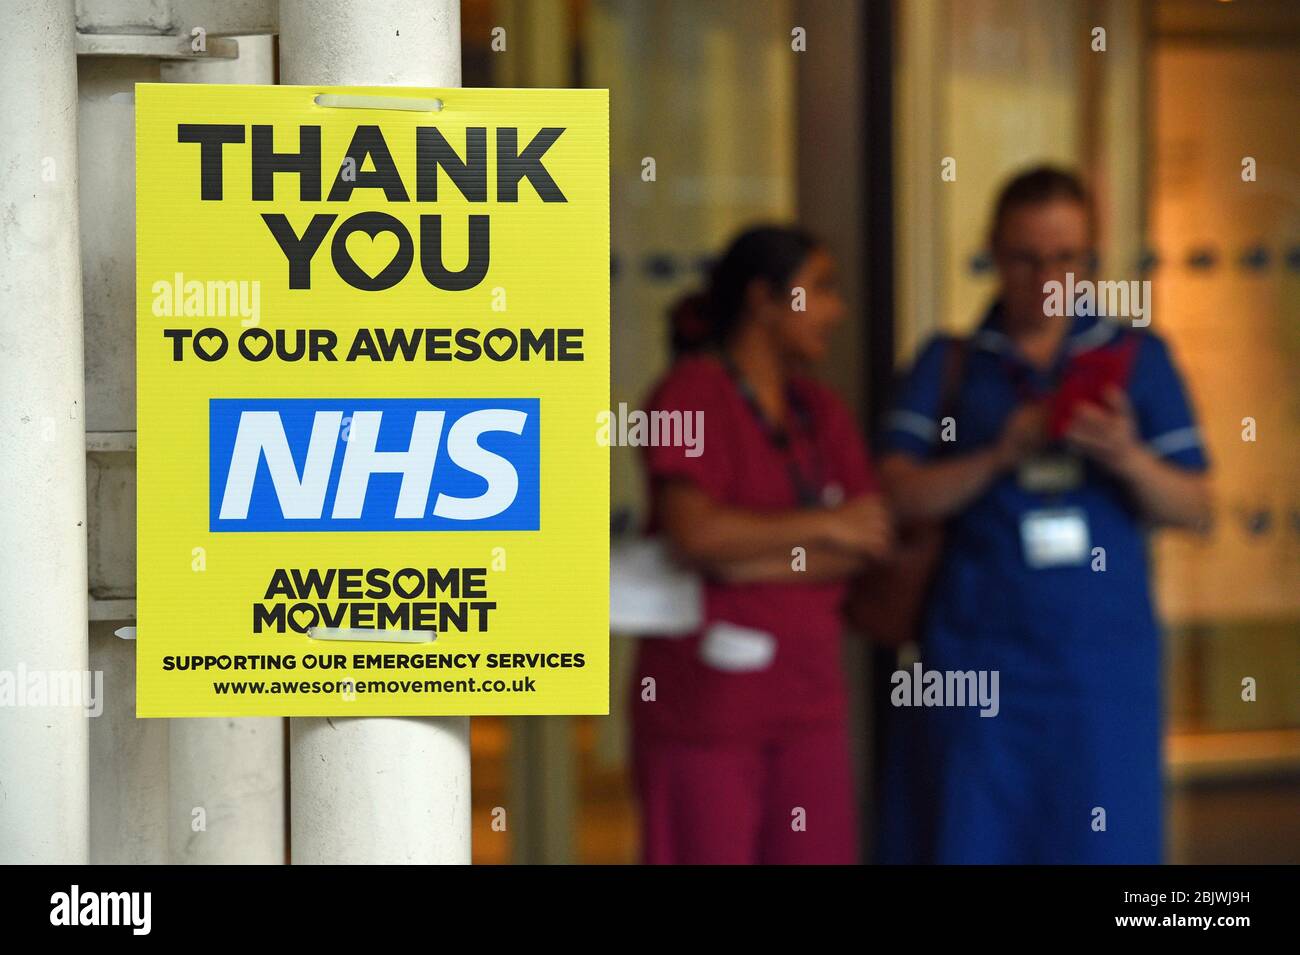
<point x="1234" y="331"/>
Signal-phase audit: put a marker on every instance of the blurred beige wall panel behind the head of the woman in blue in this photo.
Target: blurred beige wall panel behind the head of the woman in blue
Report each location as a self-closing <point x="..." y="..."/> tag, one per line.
<point x="998" y="86"/>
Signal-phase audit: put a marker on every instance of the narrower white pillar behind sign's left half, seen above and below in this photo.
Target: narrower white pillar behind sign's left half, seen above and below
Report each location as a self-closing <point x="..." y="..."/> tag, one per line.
<point x="227" y="778"/>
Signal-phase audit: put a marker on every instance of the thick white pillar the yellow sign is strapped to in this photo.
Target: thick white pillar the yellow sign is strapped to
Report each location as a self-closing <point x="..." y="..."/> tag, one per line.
<point x="369" y="791"/>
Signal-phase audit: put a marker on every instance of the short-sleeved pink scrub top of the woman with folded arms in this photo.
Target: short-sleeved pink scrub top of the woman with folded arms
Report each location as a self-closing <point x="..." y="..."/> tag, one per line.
<point x="743" y="467"/>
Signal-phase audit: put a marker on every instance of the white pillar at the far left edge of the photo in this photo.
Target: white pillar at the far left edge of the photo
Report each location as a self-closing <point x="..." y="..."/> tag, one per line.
<point x="45" y="752"/>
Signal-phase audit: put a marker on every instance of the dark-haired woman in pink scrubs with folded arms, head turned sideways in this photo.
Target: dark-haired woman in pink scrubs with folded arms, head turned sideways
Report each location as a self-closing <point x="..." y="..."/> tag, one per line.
<point x="740" y="730"/>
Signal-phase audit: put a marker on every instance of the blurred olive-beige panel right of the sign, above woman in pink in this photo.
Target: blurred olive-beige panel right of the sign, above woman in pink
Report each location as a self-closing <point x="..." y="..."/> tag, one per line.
<point x="708" y="92"/>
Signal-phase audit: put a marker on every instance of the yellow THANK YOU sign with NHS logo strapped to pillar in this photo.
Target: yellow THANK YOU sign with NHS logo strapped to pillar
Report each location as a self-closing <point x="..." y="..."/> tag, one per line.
<point x="372" y="344"/>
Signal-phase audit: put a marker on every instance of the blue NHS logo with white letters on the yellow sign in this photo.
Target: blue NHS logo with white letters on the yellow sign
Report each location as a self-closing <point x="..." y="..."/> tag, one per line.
<point x="374" y="465"/>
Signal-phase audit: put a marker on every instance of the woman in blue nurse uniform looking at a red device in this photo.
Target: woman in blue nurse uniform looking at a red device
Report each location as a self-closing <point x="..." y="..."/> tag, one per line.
<point x="1061" y="440"/>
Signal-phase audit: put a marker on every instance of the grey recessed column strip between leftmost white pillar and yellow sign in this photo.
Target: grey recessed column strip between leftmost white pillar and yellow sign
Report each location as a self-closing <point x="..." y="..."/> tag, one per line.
<point x="128" y="757"/>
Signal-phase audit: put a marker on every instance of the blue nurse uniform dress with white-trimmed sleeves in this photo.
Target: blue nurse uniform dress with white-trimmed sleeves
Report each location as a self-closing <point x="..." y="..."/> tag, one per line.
<point x="1069" y="770"/>
